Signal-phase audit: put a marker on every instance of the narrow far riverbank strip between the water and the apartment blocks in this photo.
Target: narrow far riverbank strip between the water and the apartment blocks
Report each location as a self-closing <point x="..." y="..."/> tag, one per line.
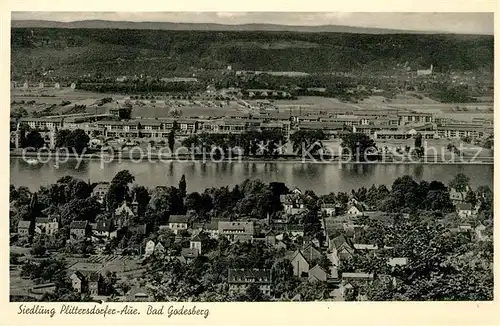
<point x="152" y="157"/>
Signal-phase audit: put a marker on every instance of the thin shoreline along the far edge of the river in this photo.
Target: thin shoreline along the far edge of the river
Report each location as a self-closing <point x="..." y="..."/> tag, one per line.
<point x="288" y="158"/>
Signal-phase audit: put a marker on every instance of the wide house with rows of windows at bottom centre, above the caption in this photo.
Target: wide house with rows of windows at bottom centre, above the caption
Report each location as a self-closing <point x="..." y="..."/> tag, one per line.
<point x="240" y="279"/>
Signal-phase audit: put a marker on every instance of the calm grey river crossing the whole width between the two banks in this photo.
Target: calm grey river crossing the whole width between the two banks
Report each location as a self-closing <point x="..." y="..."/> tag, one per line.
<point x="321" y="178"/>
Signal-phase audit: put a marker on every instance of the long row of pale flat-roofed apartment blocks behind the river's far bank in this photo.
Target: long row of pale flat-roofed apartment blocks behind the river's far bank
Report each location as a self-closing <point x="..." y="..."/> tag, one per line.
<point x="380" y="127"/>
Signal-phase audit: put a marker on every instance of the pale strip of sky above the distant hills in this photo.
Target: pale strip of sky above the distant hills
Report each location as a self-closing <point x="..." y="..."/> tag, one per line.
<point x="466" y="23"/>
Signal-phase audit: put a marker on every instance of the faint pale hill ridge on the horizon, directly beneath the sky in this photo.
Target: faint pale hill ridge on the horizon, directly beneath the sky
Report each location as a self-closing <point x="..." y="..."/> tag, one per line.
<point x="101" y="24"/>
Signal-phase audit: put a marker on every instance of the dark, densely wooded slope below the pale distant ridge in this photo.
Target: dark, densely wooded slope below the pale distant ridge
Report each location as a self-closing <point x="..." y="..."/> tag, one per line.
<point x="73" y="52"/>
